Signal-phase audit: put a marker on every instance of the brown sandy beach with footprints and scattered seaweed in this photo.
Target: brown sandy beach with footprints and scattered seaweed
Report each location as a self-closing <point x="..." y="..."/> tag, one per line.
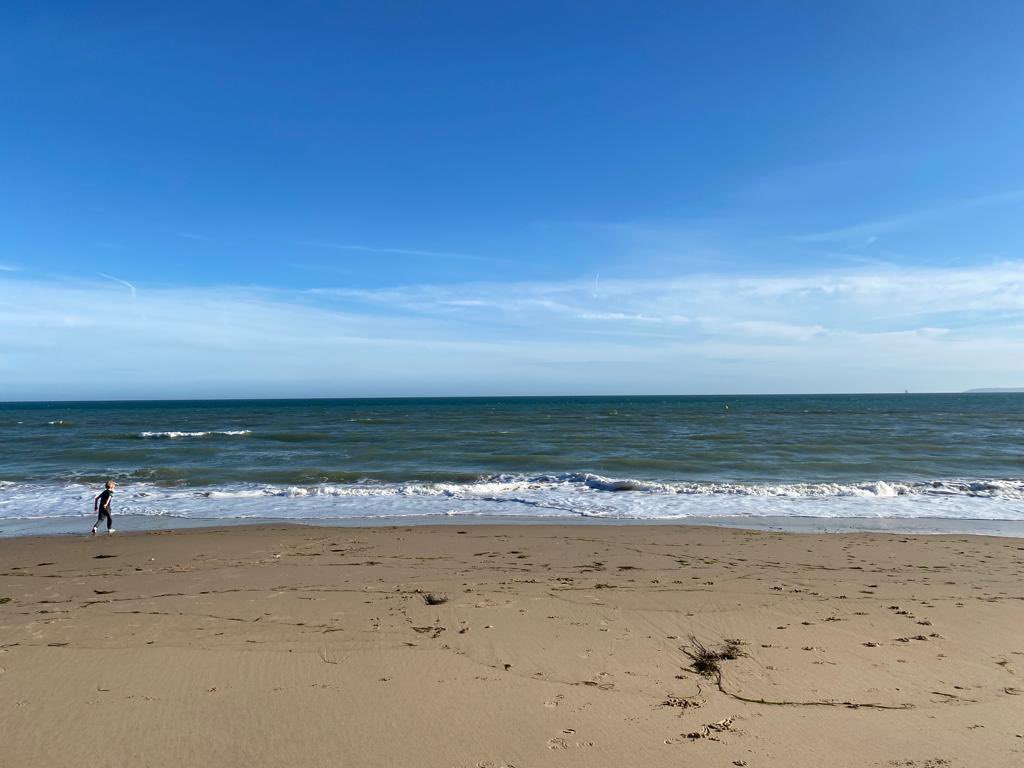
<point x="558" y="647"/>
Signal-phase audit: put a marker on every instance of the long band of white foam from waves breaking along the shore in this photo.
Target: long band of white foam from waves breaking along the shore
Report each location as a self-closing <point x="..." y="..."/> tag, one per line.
<point x="573" y="495"/>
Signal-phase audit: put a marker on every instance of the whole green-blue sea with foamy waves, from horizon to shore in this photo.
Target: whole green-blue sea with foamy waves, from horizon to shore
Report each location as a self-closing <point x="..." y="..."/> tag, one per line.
<point x="875" y="462"/>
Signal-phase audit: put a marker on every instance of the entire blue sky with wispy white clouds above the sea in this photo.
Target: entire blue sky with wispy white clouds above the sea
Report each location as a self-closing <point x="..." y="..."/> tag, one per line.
<point x="460" y="198"/>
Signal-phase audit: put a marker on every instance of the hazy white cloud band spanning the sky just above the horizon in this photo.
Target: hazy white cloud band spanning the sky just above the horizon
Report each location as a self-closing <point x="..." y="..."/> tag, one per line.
<point x="869" y="329"/>
